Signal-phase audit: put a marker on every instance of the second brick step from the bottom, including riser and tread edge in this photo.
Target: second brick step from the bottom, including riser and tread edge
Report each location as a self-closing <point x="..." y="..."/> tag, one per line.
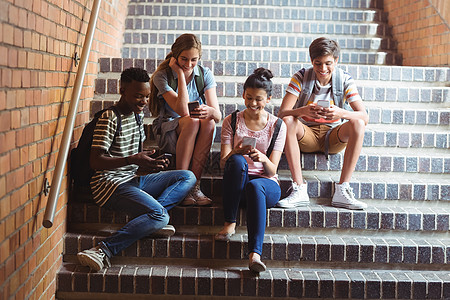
<point x="292" y="249"/>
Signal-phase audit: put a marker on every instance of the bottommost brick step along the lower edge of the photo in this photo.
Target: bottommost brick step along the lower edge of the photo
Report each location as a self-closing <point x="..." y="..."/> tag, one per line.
<point x="135" y="281"/>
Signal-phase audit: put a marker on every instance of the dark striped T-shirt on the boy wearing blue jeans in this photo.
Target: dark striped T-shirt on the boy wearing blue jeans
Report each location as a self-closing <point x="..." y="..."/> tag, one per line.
<point x="105" y="182"/>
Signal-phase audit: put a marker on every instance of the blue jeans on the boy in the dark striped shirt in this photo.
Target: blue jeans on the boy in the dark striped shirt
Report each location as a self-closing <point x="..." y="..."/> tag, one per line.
<point x="146" y="199"/>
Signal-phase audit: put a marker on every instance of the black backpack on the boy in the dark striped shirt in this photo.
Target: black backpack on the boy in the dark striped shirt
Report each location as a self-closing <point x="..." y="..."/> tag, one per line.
<point x="80" y="169"/>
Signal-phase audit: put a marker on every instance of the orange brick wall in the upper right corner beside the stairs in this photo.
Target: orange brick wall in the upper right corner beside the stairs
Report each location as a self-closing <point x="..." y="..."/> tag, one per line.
<point x="422" y="30"/>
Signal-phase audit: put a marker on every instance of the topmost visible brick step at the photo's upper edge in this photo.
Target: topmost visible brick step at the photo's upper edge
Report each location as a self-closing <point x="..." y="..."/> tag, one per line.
<point x="253" y="12"/>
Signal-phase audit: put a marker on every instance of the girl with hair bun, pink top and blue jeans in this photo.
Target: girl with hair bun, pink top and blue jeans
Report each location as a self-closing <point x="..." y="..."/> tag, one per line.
<point x="250" y="173"/>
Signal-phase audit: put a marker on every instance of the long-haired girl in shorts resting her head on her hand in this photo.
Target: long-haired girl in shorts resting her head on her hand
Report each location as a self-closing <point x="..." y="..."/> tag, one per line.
<point x="184" y="132"/>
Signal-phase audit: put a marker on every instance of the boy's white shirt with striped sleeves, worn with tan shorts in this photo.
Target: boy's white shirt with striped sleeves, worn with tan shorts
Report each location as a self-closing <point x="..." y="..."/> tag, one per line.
<point x="323" y="93"/>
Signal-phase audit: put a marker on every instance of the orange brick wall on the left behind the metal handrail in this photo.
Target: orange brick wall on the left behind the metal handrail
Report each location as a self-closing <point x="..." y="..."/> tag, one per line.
<point x="37" y="40"/>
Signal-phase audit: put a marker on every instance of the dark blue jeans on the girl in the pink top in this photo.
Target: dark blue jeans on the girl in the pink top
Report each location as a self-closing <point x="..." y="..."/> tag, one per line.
<point x="259" y="193"/>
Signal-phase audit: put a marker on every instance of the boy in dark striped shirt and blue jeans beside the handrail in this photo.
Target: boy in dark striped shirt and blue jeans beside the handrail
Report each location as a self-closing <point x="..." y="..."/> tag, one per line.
<point x="115" y="185"/>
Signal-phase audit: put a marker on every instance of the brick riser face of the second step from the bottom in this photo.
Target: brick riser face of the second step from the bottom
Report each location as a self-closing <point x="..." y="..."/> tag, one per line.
<point x="293" y="250"/>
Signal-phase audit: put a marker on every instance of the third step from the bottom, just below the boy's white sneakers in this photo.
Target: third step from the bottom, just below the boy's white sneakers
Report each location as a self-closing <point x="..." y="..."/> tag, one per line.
<point x="382" y="218"/>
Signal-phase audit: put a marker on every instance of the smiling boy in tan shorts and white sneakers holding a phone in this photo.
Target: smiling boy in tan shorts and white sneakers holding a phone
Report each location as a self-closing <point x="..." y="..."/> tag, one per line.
<point x="323" y="112"/>
